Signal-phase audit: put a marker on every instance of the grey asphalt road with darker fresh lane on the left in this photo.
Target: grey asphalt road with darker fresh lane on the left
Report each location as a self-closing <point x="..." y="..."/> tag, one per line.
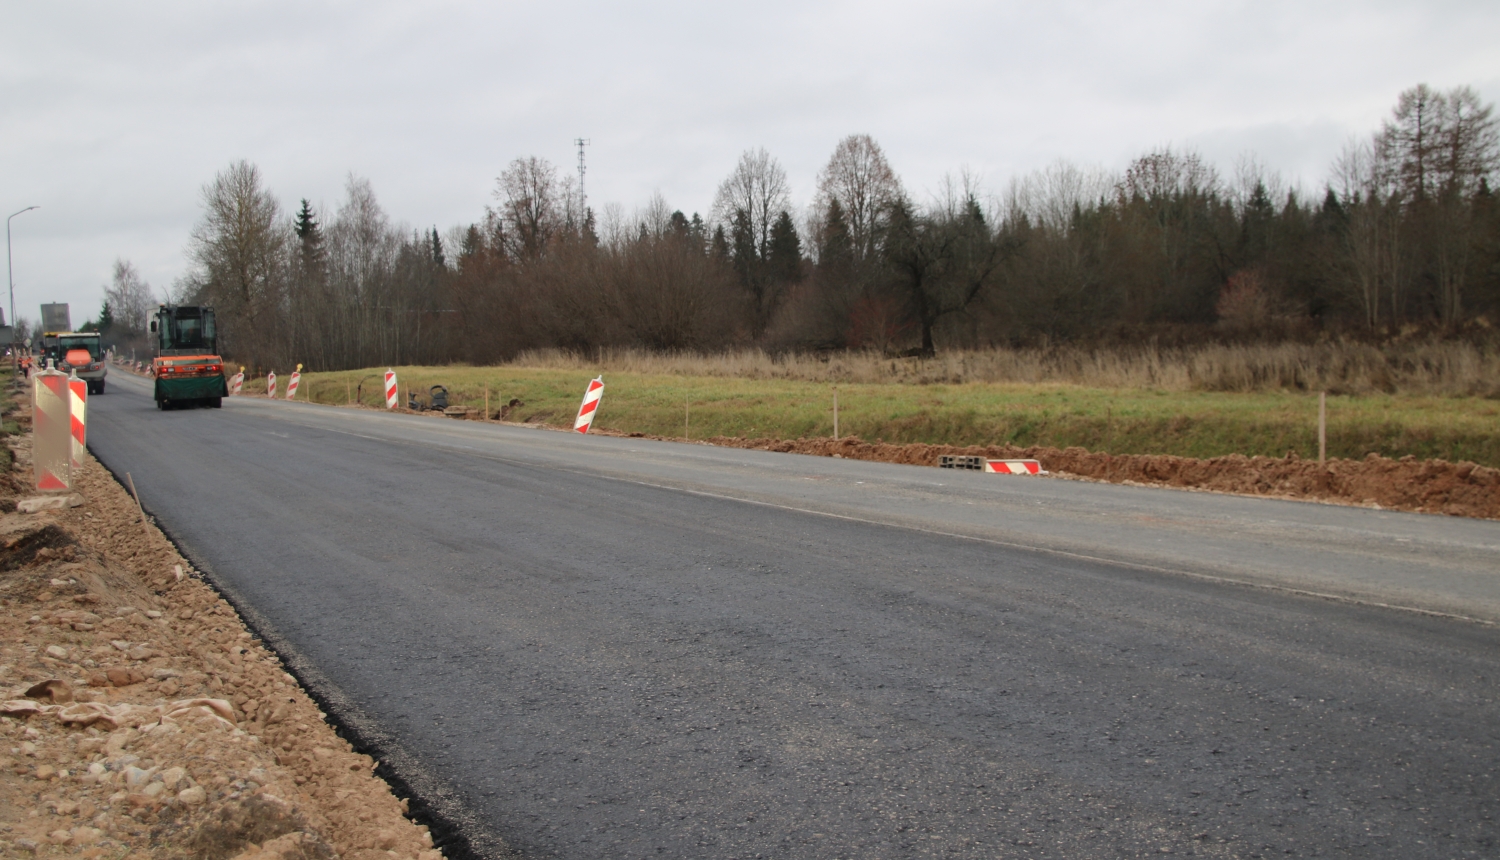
<point x="610" y="648"/>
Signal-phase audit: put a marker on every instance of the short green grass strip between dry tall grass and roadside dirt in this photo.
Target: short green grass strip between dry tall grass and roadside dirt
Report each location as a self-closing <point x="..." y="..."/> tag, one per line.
<point x="1117" y="421"/>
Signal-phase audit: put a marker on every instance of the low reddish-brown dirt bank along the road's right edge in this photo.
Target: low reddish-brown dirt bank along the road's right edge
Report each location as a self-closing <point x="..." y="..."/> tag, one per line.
<point x="1408" y="484"/>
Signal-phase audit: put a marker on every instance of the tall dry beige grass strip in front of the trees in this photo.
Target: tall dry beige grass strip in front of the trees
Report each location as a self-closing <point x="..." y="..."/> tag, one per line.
<point x="1427" y="368"/>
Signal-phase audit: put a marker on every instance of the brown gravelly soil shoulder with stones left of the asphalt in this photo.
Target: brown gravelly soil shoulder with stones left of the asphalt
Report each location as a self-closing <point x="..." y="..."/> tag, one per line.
<point x="140" y="718"/>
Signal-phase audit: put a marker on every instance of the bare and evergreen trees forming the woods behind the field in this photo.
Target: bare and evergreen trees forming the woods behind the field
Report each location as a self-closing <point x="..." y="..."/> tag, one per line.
<point x="1405" y="235"/>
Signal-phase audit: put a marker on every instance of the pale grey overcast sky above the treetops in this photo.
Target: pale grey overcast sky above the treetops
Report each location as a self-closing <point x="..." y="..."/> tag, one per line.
<point x="113" y="116"/>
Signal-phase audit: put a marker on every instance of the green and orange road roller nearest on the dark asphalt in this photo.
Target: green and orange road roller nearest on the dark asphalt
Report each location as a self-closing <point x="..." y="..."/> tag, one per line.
<point x="187" y="367"/>
